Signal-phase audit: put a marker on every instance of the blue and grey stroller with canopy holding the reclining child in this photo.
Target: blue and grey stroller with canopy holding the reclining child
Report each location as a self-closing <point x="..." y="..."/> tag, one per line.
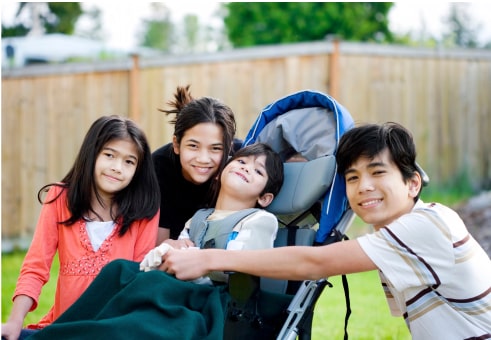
<point x="312" y="209"/>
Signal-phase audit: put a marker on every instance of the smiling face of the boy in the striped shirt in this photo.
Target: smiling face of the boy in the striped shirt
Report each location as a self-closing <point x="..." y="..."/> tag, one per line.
<point x="376" y="190"/>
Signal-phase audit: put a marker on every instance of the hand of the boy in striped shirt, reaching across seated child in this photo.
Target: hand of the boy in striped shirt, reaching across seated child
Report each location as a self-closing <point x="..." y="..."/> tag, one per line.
<point x="187" y="264"/>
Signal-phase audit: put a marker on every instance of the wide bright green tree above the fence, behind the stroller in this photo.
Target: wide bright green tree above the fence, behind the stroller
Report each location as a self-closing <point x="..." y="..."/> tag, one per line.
<point x="258" y="23"/>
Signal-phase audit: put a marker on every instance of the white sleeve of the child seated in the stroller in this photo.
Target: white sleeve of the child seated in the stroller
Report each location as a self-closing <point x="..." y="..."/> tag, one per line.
<point x="256" y="231"/>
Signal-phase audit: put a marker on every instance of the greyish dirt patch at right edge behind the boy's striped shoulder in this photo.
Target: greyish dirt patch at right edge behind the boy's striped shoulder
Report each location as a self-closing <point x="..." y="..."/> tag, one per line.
<point x="476" y="214"/>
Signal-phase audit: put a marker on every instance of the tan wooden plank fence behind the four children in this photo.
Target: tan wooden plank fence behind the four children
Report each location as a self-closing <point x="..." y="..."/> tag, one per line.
<point x="442" y="96"/>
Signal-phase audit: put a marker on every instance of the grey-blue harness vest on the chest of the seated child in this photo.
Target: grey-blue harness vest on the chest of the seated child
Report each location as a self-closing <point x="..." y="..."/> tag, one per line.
<point x="215" y="234"/>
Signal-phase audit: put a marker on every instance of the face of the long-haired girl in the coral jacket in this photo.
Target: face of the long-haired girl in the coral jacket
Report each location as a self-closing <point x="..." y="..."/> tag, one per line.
<point x="115" y="166"/>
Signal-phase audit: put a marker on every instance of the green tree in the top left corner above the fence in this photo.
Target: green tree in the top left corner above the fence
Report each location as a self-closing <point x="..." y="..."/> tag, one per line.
<point x="45" y="17"/>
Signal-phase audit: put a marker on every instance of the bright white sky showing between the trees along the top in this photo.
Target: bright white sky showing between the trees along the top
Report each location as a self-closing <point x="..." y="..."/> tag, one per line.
<point x="122" y="21"/>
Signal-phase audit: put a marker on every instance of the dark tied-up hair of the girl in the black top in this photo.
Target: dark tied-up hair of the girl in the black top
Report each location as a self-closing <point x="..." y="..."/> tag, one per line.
<point x="190" y="112"/>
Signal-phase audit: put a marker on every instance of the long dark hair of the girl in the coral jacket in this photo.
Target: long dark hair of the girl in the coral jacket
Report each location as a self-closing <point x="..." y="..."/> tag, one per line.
<point x="140" y="199"/>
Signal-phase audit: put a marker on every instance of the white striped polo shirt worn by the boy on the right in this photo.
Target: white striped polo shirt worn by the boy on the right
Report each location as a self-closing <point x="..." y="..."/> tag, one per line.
<point x="434" y="273"/>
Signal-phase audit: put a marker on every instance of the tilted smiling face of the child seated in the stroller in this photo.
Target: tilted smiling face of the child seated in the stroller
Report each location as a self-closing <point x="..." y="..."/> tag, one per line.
<point x="245" y="176"/>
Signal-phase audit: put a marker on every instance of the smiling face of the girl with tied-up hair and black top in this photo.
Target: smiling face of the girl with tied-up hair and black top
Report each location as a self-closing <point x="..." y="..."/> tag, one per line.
<point x="200" y="152"/>
